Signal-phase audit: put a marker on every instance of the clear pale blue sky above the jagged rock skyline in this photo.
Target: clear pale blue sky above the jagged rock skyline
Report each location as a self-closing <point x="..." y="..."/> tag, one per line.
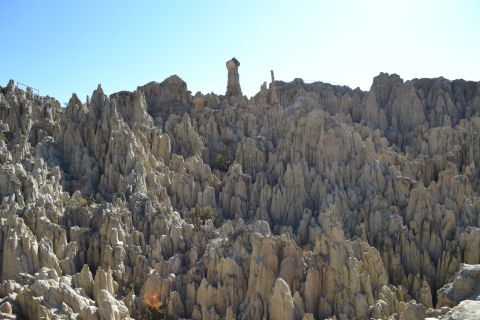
<point x="60" y="47"/>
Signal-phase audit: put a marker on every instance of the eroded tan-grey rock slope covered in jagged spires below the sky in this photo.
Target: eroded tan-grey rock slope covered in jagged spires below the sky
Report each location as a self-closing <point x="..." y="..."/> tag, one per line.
<point x="308" y="201"/>
